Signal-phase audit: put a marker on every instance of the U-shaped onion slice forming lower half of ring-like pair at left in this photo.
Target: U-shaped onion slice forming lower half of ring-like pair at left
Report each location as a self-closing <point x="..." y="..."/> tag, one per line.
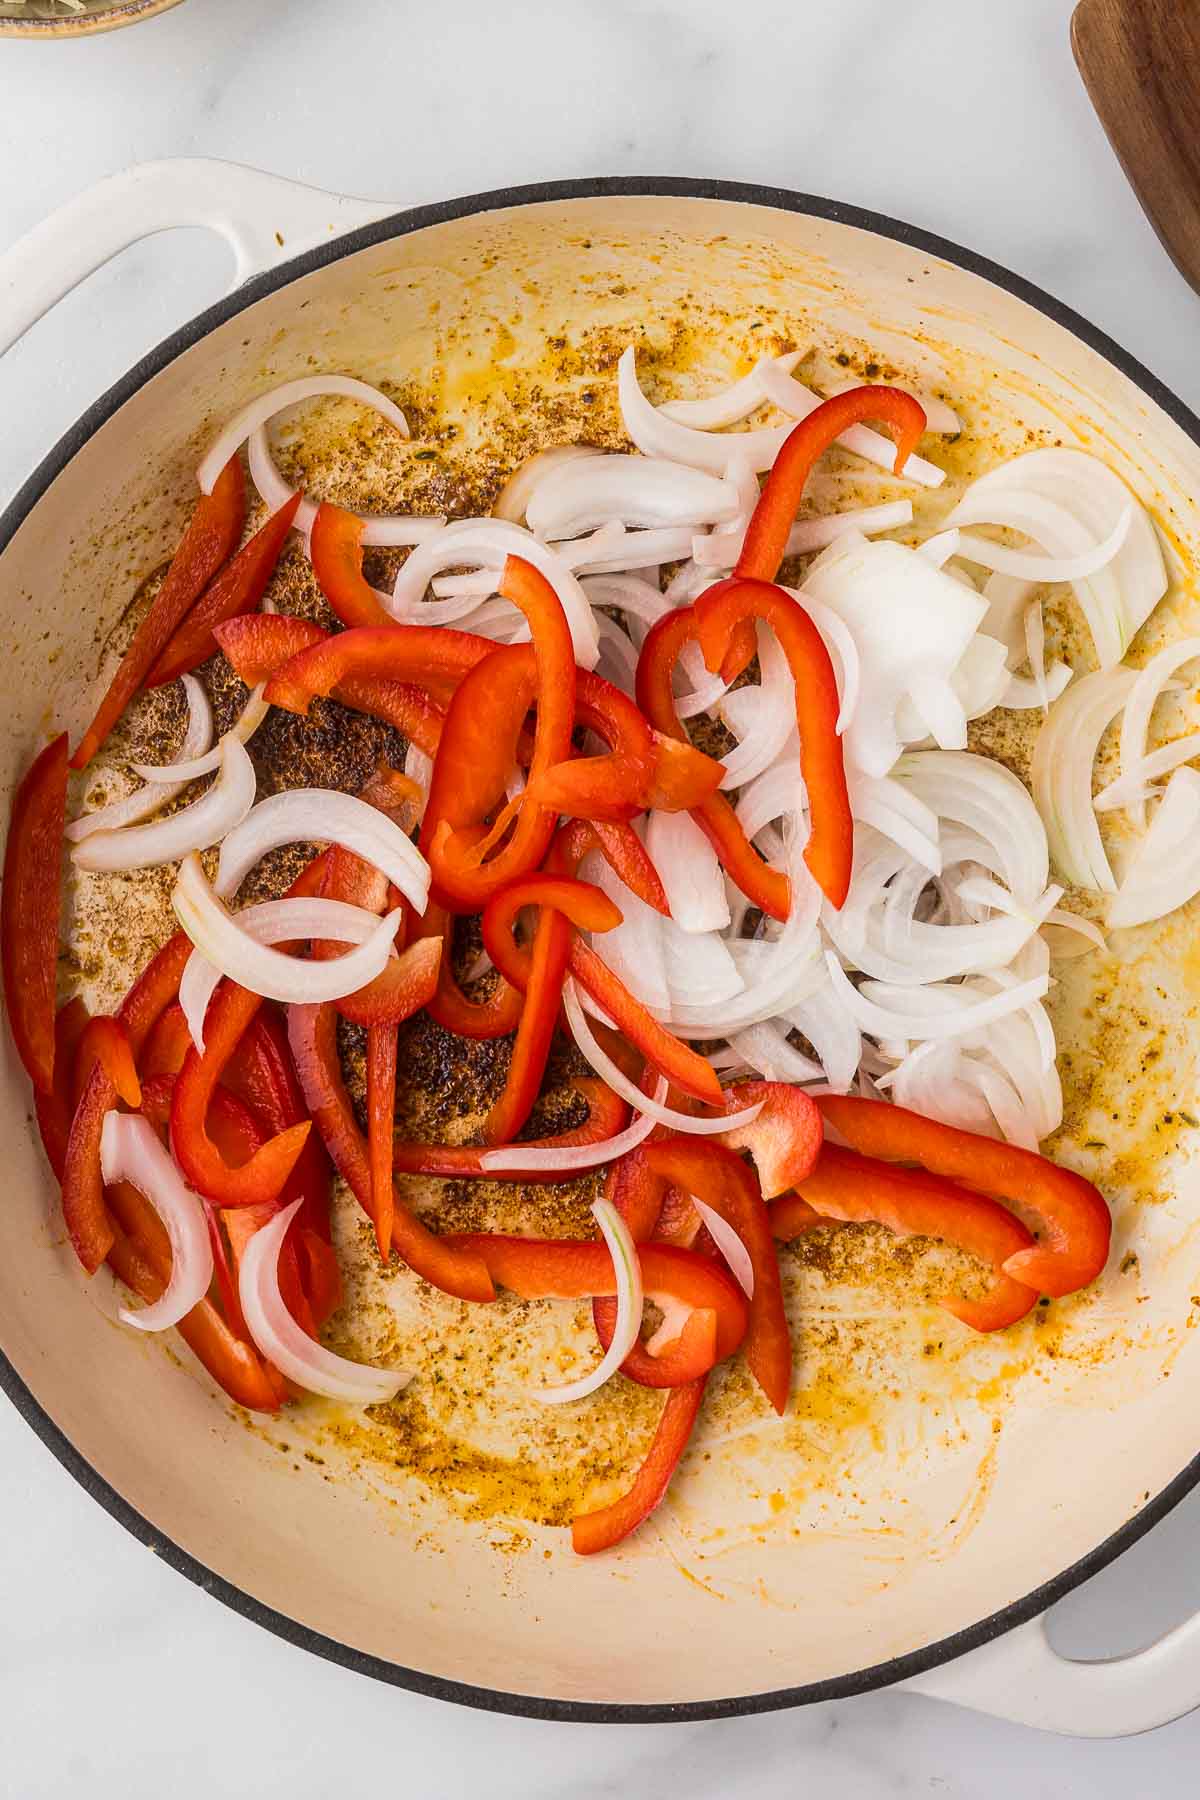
<point x="253" y="964"/>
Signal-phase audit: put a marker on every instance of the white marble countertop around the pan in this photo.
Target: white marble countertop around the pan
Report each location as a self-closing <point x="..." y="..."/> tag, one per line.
<point x="963" y="116"/>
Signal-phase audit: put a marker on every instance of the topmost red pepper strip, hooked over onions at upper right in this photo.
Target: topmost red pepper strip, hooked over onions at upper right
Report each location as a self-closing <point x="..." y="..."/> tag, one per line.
<point x="773" y="519"/>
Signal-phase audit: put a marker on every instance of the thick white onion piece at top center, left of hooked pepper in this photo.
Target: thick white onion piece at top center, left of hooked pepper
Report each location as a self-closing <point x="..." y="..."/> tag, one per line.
<point x="634" y="490"/>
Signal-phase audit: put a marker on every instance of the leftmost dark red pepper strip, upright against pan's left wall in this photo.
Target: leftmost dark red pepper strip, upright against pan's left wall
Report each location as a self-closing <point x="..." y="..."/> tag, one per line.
<point x="30" y="910"/>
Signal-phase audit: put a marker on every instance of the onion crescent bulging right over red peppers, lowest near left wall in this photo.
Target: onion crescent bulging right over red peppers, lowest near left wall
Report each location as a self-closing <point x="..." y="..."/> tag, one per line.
<point x="132" y="1151"/>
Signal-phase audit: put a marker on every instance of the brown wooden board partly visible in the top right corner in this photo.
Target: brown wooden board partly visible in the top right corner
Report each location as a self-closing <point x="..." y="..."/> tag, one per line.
<point x="1142" y="66"/>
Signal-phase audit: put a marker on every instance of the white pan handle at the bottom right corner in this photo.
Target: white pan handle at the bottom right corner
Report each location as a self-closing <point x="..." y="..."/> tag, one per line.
<point x="1021" y="1677"/>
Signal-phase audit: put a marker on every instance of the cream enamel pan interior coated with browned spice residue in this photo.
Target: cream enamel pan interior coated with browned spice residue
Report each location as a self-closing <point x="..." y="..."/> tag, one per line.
<point x="924" y="1479"/>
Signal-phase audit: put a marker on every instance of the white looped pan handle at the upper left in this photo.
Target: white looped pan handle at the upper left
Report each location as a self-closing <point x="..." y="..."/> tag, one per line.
<point x="264" y="219"/>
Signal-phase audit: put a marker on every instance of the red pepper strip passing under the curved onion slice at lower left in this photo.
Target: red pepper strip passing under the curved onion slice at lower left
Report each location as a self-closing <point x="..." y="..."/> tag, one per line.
<point x="141" y="1257"/>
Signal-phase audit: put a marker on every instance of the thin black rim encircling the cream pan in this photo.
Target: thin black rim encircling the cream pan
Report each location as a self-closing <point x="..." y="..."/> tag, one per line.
<point x="494" y="1700"/>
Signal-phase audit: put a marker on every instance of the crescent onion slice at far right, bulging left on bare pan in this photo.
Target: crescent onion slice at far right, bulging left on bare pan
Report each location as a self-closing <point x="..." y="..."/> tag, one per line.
<point x="1062" y="775"/>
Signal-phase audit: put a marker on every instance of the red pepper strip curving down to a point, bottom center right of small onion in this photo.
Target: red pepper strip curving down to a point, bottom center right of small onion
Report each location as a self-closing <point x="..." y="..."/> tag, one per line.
<point x="719" y="1178"/>
